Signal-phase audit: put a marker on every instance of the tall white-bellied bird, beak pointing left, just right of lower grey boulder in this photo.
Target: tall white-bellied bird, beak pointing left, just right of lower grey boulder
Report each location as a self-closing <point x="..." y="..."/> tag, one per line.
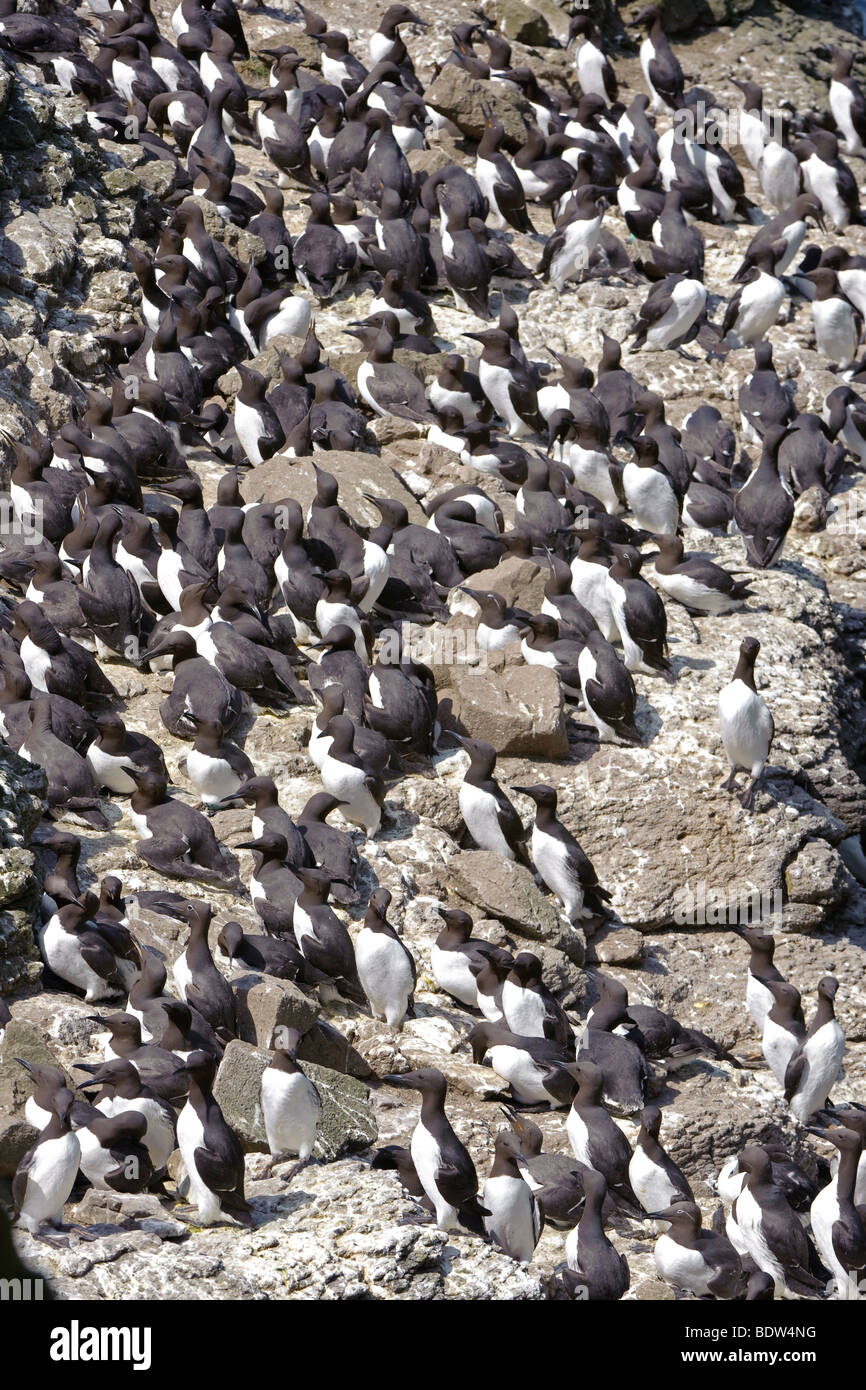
<point x="443" y="1163"/>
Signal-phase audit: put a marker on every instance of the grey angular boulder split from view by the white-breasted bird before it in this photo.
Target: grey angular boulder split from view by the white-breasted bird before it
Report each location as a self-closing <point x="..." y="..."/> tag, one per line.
<point x="347" y="1124"/>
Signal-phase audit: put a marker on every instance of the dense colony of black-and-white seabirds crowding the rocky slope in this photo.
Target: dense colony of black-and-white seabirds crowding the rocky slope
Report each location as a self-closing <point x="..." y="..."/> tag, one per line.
<point x="315" y="496"/>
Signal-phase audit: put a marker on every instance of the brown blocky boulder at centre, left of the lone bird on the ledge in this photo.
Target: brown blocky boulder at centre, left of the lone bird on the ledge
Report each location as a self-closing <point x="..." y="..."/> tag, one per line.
<point x="519" y="711"/>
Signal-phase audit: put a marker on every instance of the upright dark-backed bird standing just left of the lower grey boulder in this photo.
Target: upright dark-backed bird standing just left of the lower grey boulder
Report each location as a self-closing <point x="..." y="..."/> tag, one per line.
<point x="211" y="1149"/>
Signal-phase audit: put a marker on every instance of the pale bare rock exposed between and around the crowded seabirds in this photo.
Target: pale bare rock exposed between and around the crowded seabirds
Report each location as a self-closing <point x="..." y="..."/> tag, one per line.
<point x="676" y="851"/>
